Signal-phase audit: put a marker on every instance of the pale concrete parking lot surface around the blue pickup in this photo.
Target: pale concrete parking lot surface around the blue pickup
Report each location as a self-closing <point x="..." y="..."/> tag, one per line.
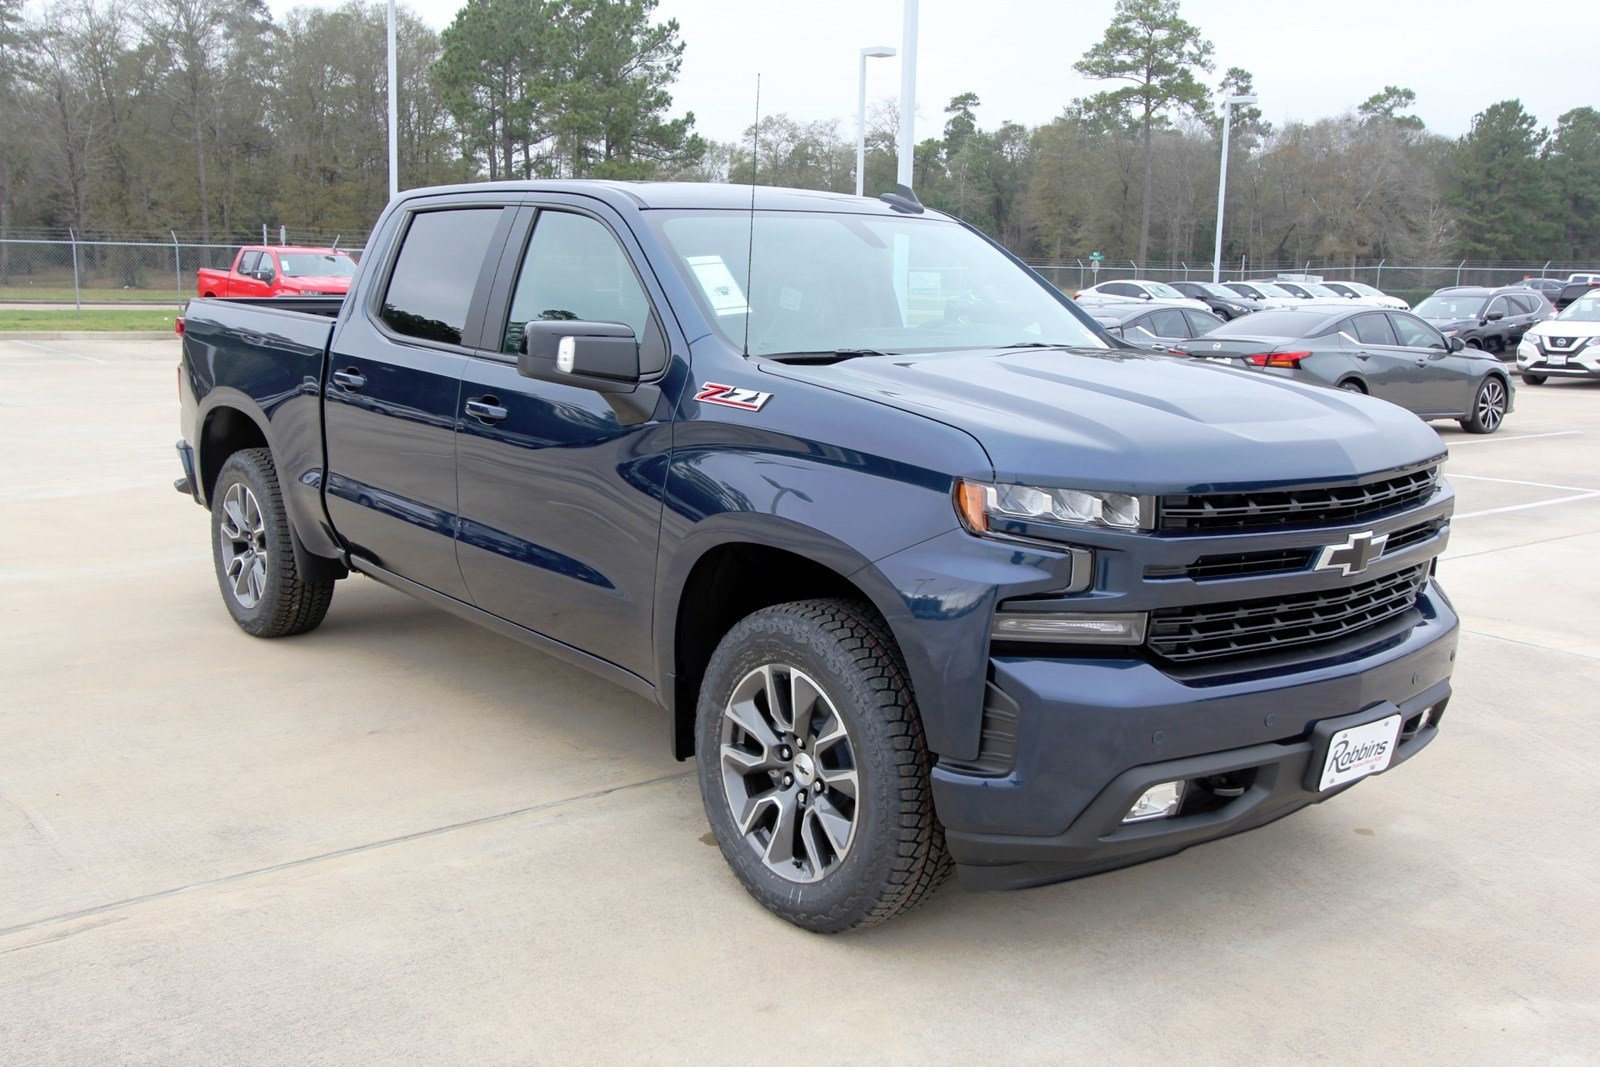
<point x="404" y="837"/>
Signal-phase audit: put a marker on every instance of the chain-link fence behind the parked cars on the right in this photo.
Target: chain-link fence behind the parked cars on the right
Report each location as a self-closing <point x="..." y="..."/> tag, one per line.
<point x="1401" y="279"/>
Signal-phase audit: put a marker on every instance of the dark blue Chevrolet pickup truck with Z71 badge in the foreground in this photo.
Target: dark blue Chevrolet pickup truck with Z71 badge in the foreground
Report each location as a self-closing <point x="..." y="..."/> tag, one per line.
<point x="926" y="573"/>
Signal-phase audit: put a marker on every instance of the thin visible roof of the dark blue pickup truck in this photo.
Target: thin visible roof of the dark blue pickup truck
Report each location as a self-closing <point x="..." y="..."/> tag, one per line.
<point x="678" y="194"/>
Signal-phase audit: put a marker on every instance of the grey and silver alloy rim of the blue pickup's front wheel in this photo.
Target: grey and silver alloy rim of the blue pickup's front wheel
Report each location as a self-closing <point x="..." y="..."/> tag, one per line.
<point x="790" y="773"/>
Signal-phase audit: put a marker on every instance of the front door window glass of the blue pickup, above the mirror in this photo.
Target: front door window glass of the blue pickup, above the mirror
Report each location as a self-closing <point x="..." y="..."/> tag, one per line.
<point x="577" y="271"/>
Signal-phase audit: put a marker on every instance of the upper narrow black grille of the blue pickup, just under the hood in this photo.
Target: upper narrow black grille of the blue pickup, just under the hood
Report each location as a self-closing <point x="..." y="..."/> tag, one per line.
<point x="1282" y="510"/>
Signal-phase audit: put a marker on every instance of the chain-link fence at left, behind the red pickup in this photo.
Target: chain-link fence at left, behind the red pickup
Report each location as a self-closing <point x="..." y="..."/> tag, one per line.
<point x="106" y="273"/>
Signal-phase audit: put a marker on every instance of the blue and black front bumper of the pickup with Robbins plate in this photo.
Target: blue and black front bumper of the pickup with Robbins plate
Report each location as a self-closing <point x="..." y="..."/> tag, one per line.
<point x="1094" y="735"/>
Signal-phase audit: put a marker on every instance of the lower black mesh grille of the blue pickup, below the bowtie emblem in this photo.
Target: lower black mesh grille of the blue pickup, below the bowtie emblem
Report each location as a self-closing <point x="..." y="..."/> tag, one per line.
<point x="1260" y="626"/>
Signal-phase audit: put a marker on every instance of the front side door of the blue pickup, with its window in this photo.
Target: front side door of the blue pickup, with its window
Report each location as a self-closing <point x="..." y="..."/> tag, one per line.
<point x="561" y="503"/>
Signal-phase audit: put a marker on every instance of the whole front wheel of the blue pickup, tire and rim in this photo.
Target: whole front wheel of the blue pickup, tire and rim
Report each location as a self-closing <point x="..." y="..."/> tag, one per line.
<point x="814" y="767"/>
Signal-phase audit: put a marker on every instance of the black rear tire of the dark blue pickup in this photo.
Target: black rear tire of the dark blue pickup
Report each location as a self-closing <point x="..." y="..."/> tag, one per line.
<point x="278" y="602"/>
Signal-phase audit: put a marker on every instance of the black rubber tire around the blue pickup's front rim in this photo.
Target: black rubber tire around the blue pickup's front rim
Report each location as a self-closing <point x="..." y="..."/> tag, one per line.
<point x="895" y="857"/>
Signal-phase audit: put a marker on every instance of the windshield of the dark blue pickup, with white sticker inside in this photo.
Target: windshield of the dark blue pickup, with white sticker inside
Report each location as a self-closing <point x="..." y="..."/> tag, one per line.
<point x="828" y="282"/>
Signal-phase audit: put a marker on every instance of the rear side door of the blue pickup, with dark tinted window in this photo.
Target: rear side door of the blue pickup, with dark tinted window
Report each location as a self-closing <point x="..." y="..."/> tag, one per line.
<point x="394" y="382"/>
